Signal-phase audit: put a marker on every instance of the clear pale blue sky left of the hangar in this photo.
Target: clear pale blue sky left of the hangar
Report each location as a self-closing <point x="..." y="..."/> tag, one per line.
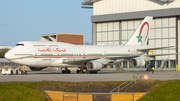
<point x="27" y="20"/>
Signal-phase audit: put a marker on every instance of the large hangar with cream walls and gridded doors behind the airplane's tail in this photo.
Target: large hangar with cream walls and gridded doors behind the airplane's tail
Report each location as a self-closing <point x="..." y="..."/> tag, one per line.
<point x="114" y="21"/>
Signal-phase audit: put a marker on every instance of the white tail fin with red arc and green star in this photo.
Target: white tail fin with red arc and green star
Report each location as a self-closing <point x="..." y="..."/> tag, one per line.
<point x="141" y="34"/>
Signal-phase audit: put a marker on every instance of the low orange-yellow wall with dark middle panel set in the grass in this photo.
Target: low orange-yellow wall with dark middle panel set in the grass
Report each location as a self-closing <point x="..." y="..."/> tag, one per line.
<point x="70" y="96"/>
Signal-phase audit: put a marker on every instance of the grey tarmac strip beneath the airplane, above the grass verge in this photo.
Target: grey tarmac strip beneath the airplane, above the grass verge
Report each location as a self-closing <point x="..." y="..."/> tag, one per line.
<point x="101" y="76"/>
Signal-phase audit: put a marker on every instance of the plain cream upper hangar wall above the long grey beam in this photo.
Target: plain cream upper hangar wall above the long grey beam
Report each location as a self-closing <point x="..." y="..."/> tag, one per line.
<point x="120" y="6"/>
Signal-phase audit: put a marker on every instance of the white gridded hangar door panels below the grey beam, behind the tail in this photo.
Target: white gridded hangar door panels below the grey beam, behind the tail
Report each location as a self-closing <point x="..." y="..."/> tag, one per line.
<point x="162" y="33"/>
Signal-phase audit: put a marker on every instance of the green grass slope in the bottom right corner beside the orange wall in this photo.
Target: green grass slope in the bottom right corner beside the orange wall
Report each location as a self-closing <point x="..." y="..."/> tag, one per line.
<point x="169" y="91"/>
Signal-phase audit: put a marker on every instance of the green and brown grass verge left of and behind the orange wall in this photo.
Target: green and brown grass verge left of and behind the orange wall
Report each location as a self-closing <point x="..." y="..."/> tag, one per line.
<point x="34" y="91"/>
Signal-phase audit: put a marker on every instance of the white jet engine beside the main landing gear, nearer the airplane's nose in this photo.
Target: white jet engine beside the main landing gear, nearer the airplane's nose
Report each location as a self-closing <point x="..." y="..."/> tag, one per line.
<point x="94" y="66"/>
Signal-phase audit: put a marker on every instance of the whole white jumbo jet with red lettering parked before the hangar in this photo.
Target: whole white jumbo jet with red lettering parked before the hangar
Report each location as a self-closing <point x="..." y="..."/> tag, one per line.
<point x="92" y="58"/>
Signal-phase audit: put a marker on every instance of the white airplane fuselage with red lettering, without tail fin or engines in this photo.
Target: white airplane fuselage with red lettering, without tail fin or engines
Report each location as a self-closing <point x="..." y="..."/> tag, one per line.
<point x="51" y="54"/>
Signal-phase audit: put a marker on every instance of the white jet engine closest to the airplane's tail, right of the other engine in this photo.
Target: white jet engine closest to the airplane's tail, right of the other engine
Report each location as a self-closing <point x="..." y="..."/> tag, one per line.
<point x="137" y="62"/>
